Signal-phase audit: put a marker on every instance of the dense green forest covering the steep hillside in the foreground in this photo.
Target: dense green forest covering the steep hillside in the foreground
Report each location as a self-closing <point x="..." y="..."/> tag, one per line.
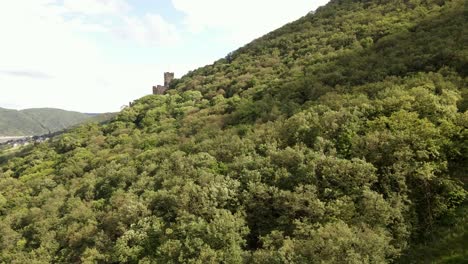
<point x="339" y="138"/>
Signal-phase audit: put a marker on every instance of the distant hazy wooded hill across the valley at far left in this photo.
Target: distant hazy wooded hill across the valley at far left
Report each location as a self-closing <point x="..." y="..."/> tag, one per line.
<point x="37" y="121"/>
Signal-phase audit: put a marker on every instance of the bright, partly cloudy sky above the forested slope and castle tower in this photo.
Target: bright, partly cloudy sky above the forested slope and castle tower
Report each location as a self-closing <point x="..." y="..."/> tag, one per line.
<point x="96" y="56"/>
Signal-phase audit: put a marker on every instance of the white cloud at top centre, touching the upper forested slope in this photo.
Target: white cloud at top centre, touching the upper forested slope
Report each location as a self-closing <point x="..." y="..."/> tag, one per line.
<point x="242" y="20"/>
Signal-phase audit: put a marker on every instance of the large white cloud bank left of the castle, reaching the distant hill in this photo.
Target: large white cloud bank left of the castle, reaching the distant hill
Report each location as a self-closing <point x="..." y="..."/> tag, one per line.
<point x="45" y="62"/>
